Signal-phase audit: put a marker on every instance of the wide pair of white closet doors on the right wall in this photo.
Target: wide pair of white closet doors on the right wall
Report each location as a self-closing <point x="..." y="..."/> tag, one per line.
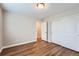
<point x="63" y="31"/>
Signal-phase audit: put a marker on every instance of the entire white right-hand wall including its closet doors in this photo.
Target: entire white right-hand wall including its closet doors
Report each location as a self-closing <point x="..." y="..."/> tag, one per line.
<point x="65" y="31"/>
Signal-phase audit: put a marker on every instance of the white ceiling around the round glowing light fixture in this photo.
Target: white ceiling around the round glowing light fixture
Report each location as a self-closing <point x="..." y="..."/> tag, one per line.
<point x="29" y="9"/>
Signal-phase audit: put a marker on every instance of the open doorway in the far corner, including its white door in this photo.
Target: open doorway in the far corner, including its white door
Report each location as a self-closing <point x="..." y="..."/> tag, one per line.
<point x="41" y="31"/>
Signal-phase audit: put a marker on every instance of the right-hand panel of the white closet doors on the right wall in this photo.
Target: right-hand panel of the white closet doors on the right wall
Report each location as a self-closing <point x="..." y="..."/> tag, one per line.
<point x="69" y="33"/>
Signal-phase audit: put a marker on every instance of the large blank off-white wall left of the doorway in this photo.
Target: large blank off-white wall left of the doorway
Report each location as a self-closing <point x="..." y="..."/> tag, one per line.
<point x="18" y="29"/>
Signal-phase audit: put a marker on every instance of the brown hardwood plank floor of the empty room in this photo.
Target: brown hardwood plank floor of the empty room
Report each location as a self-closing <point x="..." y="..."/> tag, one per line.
<point x="41" y="48"/>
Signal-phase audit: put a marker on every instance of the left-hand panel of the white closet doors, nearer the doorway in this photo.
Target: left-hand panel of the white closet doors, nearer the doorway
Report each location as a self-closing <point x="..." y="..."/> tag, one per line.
<point x="57" y="31"/>
